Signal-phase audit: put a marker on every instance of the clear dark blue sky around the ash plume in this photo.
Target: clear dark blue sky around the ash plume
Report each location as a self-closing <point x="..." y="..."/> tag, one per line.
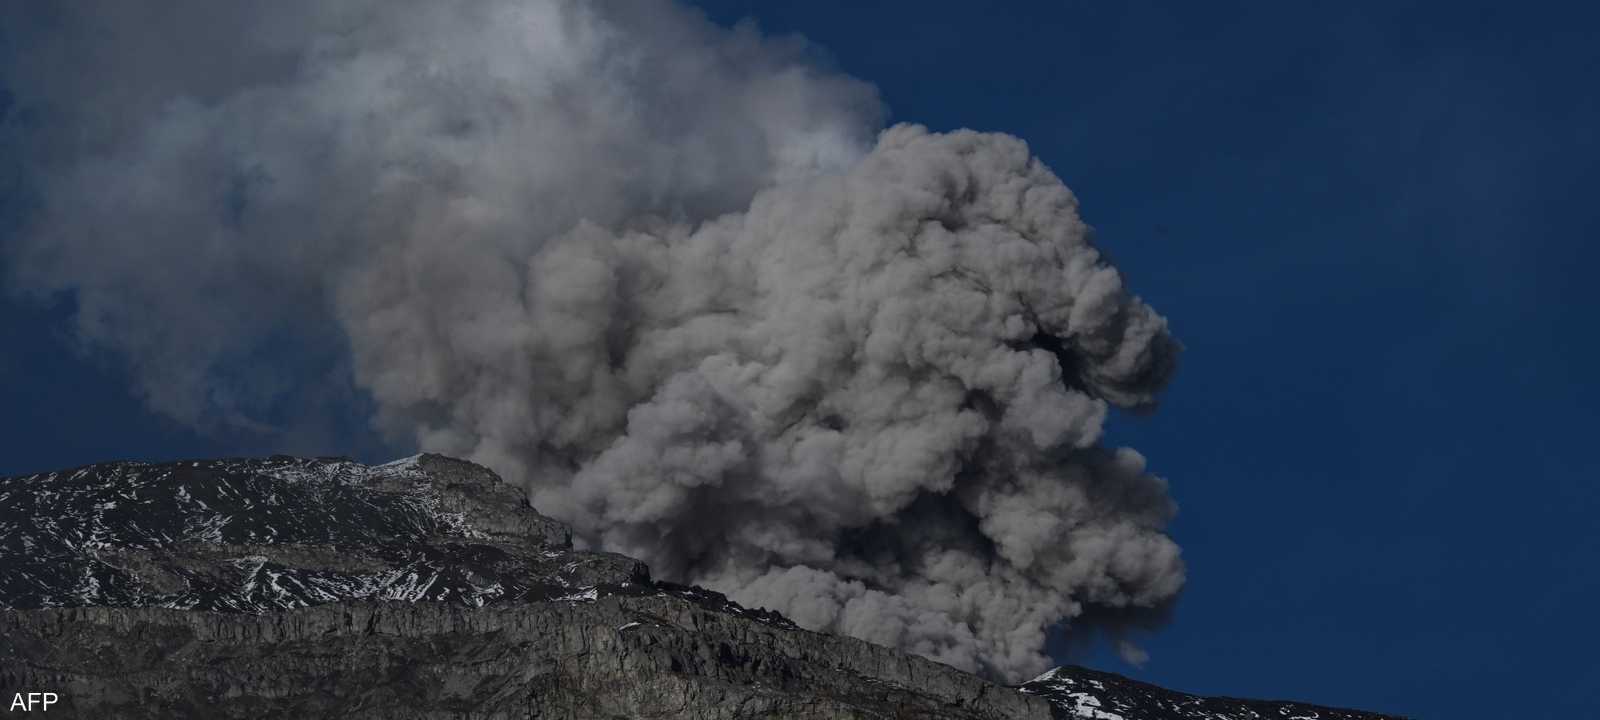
<point x="1367" y="223"/>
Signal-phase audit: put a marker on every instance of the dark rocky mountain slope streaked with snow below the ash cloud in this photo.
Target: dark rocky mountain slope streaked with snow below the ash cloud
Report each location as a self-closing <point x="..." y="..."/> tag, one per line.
<point x="422" y="590"/>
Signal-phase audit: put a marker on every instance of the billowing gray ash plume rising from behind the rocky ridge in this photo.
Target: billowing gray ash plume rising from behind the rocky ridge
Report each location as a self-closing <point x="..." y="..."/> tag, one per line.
<point x="670" y="276"/>
